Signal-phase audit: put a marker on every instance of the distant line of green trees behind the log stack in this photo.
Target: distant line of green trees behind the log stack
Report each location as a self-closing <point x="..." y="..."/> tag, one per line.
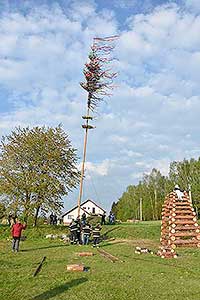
<point x="153" y="188"/>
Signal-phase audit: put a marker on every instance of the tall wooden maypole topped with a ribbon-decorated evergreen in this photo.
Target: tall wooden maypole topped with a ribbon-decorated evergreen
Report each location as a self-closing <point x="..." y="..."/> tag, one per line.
<point x="98" y="81"/>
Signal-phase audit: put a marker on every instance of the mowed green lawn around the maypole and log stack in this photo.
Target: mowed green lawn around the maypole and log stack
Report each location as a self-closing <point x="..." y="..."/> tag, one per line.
<point x="135" y="276"/>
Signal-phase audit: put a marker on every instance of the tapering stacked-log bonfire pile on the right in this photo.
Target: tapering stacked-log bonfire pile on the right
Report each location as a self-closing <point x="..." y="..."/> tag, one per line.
<point x="179" y="225"/>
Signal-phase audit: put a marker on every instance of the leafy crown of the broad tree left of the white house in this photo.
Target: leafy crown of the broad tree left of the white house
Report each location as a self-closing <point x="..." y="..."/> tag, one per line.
<point x="37" y="168"/>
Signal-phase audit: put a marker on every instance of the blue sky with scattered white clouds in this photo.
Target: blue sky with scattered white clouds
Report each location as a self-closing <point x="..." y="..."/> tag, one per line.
<point x="152" y="117"/>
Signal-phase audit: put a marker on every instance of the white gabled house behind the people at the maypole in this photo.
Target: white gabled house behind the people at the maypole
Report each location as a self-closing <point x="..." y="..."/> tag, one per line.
<point x="88" y="207"/>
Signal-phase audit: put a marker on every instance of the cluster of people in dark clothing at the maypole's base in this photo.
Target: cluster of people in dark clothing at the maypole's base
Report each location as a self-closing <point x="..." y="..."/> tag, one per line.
<point x="81" y="232"/>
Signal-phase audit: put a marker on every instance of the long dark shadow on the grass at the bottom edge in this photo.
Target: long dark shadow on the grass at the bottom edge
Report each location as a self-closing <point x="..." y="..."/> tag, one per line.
<point x="60" y="289"/>
